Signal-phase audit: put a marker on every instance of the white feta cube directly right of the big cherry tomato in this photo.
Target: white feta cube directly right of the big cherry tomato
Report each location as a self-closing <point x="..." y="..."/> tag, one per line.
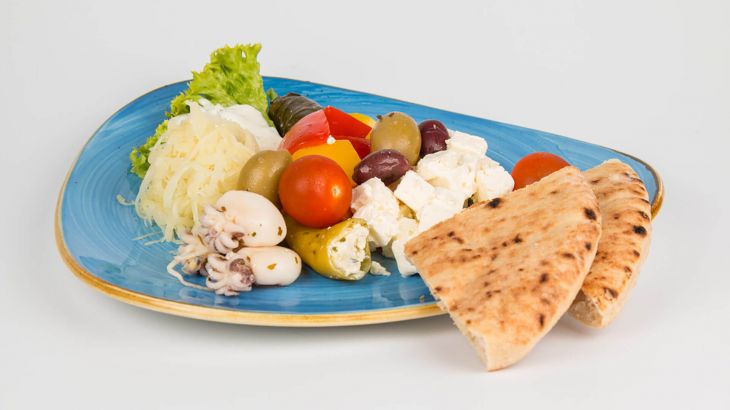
<point x="376" y="204"/>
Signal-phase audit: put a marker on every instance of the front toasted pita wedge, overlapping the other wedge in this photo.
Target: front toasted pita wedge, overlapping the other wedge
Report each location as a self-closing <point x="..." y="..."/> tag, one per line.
<point x="506" y="270"/>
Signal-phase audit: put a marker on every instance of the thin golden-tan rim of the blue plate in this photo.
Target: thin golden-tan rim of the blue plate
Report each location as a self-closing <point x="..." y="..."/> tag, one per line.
<point x="225" y="315"/>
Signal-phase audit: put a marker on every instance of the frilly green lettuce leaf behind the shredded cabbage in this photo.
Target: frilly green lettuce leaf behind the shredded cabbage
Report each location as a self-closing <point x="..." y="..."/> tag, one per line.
<point x="231" y="77"/>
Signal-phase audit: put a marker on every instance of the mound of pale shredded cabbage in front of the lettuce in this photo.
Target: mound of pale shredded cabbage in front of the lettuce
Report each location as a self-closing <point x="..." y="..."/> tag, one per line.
<point x="195" y="161"/>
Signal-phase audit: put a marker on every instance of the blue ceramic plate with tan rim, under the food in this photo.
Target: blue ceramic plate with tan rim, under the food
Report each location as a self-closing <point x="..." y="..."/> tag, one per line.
<point x="96" y="234"/>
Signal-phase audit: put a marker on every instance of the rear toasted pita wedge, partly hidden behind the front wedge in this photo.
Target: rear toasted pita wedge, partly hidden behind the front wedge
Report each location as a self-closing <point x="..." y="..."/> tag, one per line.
<point x="624" y="204"/>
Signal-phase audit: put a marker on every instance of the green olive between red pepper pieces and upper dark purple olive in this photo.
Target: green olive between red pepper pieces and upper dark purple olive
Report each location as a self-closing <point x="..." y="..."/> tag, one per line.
<point x="397" y="131"/>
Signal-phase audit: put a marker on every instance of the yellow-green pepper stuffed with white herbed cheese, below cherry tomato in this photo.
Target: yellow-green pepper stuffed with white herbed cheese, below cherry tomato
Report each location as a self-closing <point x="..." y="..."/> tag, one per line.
<point x="316" y="247"/>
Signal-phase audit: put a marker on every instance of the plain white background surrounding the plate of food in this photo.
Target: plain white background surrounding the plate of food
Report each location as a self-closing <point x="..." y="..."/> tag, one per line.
<point x="650" y="78"/>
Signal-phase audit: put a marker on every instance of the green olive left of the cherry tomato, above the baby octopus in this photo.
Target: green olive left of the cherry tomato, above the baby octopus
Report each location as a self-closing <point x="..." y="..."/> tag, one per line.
<point x="262" y="172"/>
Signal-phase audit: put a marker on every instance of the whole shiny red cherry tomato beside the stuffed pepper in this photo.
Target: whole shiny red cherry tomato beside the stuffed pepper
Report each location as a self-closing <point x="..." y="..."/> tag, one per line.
<point x="315" y="191"/>
